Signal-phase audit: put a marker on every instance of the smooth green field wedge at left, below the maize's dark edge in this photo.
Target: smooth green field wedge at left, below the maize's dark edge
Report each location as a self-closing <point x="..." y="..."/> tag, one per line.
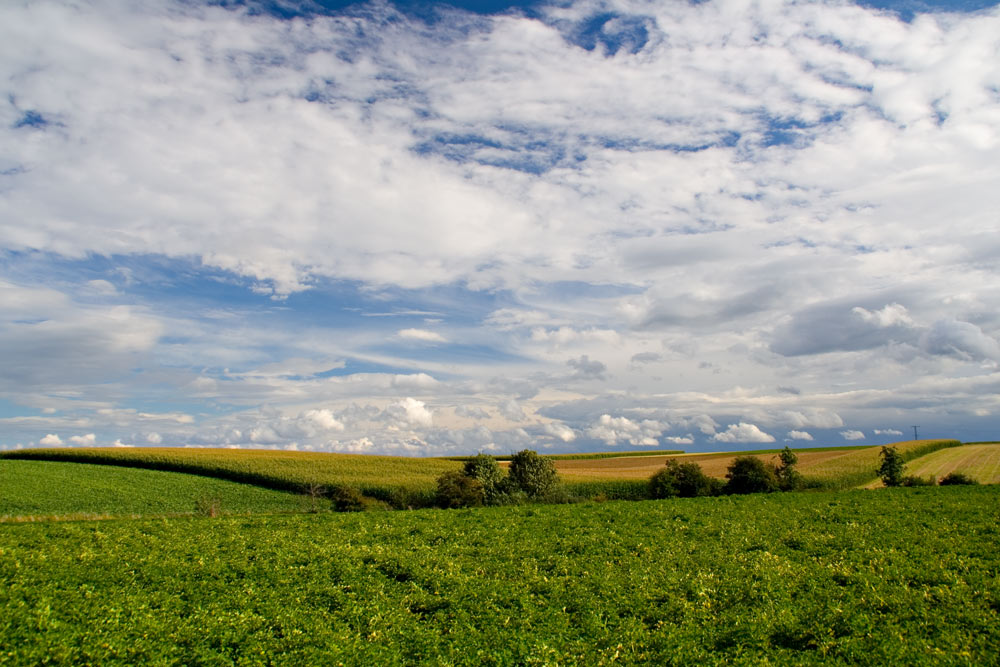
<point x="38" y="490"/>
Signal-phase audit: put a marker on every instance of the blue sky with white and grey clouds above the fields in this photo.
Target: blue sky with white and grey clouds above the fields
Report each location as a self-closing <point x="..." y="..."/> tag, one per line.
<point x="429" y="229"/>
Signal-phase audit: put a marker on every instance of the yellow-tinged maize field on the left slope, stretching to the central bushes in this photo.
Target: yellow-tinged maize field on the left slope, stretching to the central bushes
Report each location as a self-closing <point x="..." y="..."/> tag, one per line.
<point x="377" y="476"/>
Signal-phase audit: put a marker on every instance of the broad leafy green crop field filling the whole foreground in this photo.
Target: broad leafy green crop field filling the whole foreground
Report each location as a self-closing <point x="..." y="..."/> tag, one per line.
<point x="898" y="576"/>
